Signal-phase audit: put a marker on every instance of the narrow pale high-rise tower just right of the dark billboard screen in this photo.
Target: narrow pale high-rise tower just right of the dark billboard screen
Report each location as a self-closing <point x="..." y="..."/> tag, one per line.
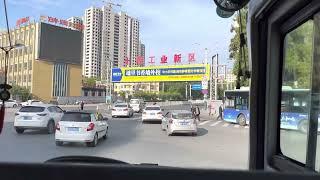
<point x="92" y="42"/>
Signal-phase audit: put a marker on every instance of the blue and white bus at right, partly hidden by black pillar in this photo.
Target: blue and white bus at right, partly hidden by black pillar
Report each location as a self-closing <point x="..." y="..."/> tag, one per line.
<point x="294" y="107"/>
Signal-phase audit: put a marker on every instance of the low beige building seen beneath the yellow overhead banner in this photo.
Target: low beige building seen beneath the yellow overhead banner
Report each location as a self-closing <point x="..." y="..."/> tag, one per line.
<point x="130" y="88"/>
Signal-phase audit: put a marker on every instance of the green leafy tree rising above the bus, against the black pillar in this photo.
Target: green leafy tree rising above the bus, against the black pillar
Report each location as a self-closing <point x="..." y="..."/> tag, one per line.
<point x="234" y="47"/>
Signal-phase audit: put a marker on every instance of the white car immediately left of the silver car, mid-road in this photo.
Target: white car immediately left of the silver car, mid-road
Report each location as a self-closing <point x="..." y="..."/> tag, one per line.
<point x="152" y="113"/>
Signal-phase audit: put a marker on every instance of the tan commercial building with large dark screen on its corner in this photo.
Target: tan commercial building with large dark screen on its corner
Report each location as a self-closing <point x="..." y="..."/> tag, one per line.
<point x="49" y="64"/>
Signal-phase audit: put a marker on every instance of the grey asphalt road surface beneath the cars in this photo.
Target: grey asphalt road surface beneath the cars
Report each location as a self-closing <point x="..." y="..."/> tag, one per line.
<point x="218" y="144"/>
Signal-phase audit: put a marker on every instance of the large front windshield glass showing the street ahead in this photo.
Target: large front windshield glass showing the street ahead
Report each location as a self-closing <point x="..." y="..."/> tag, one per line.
<point x="138" y="63"/>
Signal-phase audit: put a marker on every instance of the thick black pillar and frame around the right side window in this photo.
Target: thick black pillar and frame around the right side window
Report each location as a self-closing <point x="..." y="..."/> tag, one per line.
<point x="267" y="27"/>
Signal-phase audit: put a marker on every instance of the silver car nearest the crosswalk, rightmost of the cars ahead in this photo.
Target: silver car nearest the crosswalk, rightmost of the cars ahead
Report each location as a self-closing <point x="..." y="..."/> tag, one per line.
<point x="179" y="121"/>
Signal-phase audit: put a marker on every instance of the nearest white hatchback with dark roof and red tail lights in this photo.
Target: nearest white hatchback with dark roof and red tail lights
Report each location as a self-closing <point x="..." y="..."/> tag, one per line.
<point x="79" y="126"/>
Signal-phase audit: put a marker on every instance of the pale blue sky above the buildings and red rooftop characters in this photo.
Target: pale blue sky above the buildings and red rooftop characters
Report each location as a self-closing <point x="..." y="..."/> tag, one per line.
<point x="166" y="26"/>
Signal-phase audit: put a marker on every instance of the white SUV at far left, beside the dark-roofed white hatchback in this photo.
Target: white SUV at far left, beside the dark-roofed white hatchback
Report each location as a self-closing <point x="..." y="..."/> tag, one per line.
<point x="41" y="116"/>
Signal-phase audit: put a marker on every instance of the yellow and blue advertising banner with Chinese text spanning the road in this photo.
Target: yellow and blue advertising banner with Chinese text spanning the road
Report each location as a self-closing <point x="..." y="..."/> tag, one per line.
<point x="191" y="72"/>
